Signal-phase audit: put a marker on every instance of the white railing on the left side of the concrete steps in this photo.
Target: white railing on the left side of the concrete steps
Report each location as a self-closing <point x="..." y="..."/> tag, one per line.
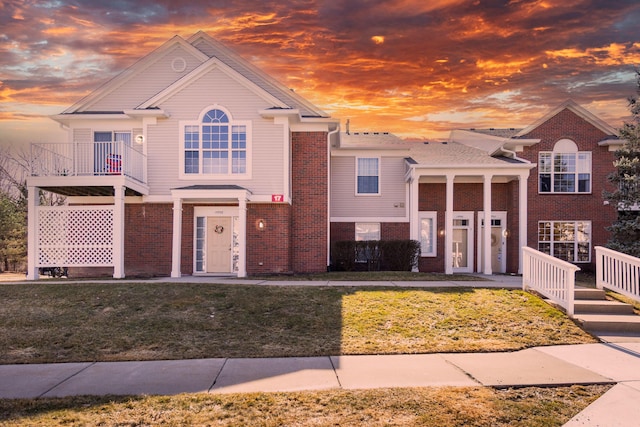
<point x="551" y="277"/>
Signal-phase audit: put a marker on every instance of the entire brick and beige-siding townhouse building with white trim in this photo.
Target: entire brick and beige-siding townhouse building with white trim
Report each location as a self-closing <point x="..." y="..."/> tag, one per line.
<point x="195" y="162"/>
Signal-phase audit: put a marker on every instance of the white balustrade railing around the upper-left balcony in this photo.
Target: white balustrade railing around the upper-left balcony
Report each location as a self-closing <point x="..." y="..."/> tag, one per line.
<point x="87" y="159"/>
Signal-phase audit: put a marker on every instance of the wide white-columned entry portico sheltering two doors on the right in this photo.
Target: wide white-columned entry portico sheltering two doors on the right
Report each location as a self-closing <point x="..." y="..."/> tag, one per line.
<point x="459" y="211"/>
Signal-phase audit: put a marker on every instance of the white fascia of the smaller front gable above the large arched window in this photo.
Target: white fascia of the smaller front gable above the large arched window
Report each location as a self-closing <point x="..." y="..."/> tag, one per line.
<point x="209" y="65"/>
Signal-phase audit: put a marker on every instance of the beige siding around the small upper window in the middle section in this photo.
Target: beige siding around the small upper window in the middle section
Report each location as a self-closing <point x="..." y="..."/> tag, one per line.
<point x="393" y="190"/>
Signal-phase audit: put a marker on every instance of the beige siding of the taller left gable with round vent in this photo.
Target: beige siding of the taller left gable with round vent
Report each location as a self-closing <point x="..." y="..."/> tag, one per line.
<point x="146" y="83"/>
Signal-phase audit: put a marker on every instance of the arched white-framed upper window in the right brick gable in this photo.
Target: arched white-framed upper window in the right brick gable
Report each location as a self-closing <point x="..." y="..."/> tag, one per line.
<point x="565" y="169"/>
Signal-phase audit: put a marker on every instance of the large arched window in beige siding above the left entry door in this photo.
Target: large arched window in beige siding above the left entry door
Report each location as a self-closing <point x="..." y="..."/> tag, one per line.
<point x="215" y="146"/>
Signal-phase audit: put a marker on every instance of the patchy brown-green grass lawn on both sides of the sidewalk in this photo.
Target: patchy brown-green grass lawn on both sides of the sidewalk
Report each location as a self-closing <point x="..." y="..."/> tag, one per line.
<point x="121" y="320"/>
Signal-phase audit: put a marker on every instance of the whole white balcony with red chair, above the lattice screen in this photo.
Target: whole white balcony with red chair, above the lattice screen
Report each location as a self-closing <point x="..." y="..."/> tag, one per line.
<point x="88" y="168"/>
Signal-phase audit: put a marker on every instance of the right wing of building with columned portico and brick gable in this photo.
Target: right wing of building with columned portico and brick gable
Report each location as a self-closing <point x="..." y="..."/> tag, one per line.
<point x="541" y="187"/>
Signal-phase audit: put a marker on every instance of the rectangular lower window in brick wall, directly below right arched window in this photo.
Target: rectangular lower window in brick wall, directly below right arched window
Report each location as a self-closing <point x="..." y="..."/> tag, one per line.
<point x="566" y="240"/>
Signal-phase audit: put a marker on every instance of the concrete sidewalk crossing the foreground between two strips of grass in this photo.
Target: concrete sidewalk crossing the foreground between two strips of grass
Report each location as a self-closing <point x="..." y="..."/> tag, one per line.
<point x="541" y="366"/>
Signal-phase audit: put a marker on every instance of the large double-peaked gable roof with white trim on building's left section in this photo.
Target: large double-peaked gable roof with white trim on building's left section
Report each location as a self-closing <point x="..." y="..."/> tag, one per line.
<point x="206" y="51"/>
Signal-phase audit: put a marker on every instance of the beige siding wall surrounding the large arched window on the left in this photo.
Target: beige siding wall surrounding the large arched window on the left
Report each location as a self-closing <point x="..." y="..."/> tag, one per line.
<point x="216" y="88"/>
